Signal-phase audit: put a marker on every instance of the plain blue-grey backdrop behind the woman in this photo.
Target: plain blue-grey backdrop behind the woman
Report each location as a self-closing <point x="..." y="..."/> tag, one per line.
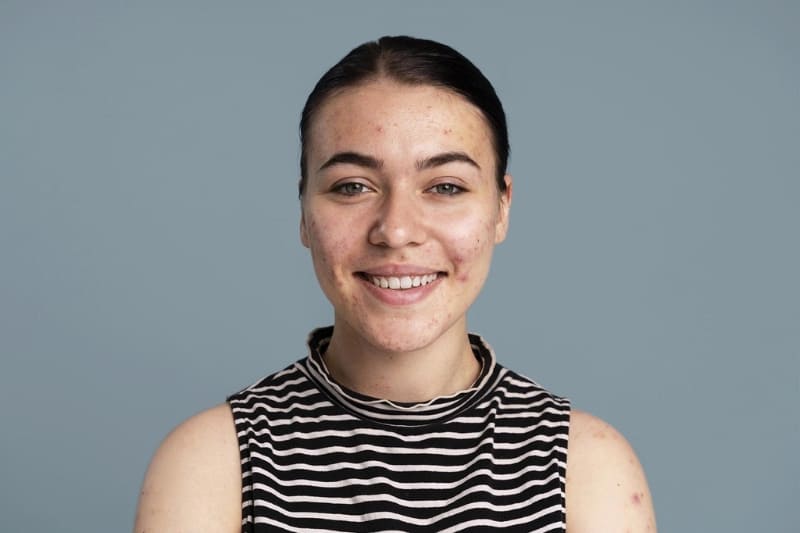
<point x="151" y="264"/>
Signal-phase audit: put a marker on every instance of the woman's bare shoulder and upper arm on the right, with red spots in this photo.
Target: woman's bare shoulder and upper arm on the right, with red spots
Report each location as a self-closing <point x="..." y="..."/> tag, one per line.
<point x="606" y="486"/>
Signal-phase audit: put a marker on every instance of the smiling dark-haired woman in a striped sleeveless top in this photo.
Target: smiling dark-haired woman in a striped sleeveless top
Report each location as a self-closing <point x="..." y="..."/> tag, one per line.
<point x="398" y="419"/>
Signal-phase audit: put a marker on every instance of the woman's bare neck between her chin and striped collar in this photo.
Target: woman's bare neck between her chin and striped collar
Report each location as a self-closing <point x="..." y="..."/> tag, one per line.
<point x="444" y="367"/>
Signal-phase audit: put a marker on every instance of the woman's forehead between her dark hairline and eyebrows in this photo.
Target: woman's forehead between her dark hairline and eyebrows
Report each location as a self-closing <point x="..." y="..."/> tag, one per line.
<point x="387" y="118"/>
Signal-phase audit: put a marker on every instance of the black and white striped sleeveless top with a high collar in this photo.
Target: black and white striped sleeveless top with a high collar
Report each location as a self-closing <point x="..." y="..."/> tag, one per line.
<point x="319" y="457"/>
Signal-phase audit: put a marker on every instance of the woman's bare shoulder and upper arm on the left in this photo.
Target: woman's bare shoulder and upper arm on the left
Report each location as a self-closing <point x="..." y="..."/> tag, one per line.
<point x="194" y="480"/>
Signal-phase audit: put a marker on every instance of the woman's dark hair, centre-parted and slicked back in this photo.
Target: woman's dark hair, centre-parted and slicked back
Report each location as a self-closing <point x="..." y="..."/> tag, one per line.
<point x="411" y="61"/>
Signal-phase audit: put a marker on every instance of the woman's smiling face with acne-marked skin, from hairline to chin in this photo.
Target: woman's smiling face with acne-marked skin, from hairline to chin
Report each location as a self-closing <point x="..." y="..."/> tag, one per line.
<point x="401" y="211"/>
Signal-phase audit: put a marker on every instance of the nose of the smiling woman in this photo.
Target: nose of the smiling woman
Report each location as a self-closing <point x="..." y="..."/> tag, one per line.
<point x="399" y="221"/>
